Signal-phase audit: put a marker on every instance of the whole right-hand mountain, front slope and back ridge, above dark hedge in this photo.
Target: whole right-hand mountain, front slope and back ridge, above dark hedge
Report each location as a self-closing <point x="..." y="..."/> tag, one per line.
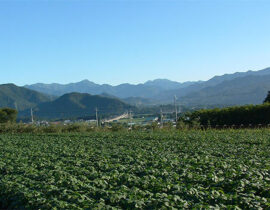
<point x="229" y="89"/>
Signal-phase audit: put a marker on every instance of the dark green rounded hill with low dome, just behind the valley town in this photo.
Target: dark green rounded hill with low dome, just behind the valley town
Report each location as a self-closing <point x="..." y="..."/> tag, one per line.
<point x="75" y="105"/>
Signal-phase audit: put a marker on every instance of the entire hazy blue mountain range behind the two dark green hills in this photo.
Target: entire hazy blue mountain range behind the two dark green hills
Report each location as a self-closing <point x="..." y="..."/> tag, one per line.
<point x="228" y="89"/>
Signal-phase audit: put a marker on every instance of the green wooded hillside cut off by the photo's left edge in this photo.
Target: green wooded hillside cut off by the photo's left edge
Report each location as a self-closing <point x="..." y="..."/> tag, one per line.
<point x="20" y="98"/>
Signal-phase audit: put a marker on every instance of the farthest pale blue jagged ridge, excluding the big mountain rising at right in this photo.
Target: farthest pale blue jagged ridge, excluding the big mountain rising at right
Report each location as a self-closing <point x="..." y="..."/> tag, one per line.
<point x="146" y="90"/>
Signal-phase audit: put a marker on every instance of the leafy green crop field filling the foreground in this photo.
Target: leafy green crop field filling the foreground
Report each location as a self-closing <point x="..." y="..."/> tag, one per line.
<point x="113" y="170"/>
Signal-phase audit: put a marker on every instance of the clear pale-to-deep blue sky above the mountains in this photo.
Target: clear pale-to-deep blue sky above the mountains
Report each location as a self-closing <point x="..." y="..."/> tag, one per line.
<point x="119" y="41"/>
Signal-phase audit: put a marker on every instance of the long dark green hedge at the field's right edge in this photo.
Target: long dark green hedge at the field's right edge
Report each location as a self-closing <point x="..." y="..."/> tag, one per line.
<point x="237" y="115"/>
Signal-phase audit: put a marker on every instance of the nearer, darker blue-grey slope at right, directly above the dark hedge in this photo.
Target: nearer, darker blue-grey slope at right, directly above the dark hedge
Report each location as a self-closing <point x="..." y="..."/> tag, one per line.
<point x="240" y="91"/>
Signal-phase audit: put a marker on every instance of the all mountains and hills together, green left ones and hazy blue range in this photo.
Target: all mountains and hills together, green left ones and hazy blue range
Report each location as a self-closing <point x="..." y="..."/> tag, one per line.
<point x="80" y="99"/>
